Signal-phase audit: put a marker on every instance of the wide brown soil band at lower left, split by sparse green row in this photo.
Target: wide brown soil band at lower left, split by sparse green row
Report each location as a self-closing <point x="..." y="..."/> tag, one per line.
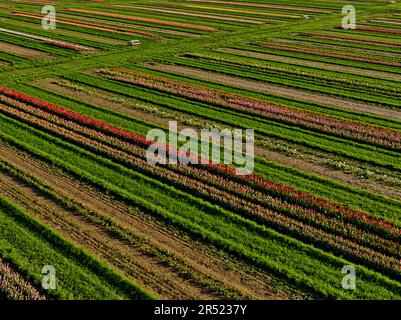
<point x="147" y="270"/>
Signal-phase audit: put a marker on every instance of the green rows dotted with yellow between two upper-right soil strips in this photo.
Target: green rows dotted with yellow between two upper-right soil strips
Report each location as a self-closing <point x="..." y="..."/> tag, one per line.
<point x="323" y="84"/>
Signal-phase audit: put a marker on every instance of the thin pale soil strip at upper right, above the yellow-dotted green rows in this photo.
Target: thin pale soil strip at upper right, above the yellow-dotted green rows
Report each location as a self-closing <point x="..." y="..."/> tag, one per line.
<point x="313" y="64"/>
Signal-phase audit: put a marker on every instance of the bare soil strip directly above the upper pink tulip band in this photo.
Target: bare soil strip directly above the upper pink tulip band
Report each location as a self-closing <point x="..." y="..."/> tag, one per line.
<point x="298" y="94"/>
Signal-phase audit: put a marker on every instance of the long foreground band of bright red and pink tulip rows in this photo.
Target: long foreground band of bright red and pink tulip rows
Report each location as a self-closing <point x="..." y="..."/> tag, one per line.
<point x="284" y="219"/>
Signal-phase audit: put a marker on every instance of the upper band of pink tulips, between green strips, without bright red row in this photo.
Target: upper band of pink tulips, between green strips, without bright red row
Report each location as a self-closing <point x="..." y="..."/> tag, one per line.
<point x="383" y="137"/>
